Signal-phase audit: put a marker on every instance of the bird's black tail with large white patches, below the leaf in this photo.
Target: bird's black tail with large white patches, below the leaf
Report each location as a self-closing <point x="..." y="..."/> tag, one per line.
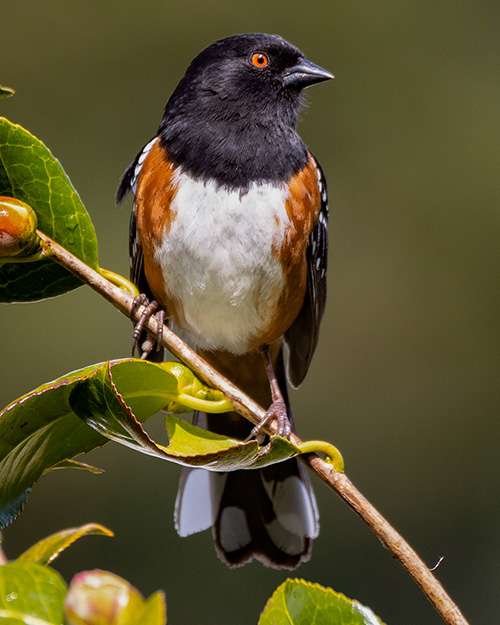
<point x="268" y="514"/>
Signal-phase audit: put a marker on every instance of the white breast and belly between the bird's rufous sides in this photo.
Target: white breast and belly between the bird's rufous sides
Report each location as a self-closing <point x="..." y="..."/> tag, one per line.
<point x="217" y="260"/>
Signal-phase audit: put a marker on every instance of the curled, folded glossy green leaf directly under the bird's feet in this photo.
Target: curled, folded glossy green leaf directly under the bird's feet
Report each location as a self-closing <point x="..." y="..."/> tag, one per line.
<point x="110" y="406"/>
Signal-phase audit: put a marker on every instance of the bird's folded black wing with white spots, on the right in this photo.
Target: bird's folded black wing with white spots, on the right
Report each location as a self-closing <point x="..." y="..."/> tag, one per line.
<point x="302" y="336"/>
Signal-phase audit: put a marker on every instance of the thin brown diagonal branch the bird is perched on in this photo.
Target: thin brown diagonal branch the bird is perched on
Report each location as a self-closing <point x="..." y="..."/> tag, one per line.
<point x="244" y="405"/>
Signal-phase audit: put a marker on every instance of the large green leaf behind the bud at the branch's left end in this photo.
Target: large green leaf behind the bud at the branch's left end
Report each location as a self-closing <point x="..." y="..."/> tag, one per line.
<point x="30" y="173"/>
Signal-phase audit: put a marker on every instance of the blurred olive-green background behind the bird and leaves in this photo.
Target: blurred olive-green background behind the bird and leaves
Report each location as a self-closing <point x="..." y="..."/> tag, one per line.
<point x="406" y="378"/>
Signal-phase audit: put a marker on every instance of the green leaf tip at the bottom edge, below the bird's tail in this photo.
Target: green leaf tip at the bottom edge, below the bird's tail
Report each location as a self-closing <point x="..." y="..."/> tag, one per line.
<point x="297" y="602"/>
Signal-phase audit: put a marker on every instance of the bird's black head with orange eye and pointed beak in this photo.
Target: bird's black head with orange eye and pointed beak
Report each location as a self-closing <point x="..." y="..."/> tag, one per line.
<point x="232" y="117"/>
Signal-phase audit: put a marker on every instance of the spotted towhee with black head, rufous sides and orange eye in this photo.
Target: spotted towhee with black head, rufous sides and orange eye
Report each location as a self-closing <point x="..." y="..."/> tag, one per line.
<point x="229" y="235"/>
